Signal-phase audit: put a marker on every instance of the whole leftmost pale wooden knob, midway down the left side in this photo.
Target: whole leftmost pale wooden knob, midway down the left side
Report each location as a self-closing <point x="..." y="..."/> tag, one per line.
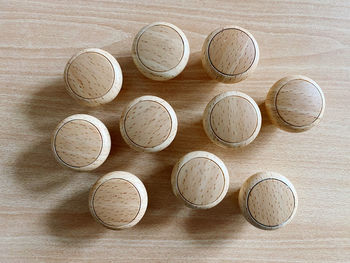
<point x="81" y="142"/>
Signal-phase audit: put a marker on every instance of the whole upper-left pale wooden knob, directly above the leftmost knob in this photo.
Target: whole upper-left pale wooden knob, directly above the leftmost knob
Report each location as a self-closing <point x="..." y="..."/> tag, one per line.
<point x="93" y="77"/>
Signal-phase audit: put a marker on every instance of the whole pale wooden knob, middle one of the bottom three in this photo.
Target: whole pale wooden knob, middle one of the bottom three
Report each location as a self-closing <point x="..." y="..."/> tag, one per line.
<point x="200" y="179"/>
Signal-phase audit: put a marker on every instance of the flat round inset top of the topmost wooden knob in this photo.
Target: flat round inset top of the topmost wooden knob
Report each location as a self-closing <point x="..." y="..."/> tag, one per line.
<point x="160" y="48"/>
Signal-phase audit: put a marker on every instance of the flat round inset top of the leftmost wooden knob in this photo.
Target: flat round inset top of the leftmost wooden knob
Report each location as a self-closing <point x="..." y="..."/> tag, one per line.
<point x="78" y="143"/>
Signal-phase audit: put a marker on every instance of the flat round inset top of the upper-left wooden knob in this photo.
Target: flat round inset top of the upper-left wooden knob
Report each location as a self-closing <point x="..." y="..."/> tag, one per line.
<point x="90" y="75"/>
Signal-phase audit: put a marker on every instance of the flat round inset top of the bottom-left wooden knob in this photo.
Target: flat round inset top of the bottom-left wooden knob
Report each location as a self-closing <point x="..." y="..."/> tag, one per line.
<point x="116" y="202"/>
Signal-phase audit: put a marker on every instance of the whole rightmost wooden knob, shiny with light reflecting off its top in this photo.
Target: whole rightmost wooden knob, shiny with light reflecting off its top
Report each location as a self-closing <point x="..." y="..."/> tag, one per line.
<point x="295" y="103"/>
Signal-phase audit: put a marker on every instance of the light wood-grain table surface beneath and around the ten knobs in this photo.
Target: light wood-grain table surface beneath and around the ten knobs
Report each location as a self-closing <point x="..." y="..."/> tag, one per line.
<point x="44" y="213"/>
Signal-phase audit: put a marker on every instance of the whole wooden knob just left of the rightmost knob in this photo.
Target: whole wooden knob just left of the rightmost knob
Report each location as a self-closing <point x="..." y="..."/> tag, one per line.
<point x="232" y="119"/>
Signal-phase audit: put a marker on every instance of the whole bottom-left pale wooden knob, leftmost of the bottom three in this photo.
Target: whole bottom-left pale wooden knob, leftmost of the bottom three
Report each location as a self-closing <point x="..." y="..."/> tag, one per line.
<point x="118" y="200"/>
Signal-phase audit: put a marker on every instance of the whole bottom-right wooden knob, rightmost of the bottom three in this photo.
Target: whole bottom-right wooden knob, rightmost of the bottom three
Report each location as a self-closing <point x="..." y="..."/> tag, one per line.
<point x="268" y="200"/>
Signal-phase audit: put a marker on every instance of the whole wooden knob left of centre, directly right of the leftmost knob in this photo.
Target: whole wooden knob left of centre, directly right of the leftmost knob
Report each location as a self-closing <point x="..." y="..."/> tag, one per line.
<point x="148" y="124"/>
